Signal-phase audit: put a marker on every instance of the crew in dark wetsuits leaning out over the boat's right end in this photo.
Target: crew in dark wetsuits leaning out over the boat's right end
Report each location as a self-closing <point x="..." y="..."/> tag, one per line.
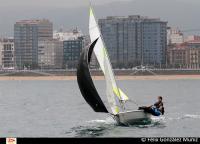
<point x="157" y="109"/>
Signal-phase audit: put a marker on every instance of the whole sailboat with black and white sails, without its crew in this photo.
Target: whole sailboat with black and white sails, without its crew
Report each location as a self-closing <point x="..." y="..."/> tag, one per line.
<point x="115" y="96"/>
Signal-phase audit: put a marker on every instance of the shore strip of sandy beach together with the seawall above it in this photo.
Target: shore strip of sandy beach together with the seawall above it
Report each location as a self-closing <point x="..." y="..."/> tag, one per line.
<point x="160" y="74"/>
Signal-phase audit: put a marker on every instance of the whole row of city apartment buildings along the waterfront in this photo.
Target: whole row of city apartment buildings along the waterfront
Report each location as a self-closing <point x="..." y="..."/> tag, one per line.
<point x="43" y="48"/>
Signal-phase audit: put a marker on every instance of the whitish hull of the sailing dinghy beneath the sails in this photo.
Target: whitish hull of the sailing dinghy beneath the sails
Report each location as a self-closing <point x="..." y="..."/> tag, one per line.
<point x="131" y="117"/>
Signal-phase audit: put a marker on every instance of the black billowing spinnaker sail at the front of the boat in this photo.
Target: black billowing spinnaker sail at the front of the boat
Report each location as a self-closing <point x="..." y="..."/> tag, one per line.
<point x="85" y="82"/>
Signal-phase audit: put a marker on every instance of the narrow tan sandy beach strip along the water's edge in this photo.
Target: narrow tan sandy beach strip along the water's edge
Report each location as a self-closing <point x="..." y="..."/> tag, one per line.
<point x="152" y="77"/>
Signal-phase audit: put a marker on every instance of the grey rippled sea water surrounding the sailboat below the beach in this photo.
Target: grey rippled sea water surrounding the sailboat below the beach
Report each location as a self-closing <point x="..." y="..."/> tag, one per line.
<point x="57" y="109"/>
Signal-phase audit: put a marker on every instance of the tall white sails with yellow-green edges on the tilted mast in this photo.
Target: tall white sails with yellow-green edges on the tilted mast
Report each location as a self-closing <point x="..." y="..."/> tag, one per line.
<point x="104" y="62"/>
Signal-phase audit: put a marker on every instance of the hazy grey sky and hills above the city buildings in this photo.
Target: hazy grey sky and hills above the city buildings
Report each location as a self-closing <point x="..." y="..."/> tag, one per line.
<point x="65" y="14"/>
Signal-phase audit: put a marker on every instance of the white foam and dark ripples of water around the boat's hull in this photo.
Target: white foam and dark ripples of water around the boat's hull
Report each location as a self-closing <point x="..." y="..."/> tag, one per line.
<point x="99" y="127"/>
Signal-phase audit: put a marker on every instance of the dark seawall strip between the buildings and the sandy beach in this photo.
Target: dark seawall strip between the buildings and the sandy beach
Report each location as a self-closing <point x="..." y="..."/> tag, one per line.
<point x="118" y="72"/>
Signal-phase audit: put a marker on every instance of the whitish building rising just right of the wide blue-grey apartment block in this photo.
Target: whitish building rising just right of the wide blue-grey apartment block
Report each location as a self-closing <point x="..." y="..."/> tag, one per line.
<point x="174" y="36"/>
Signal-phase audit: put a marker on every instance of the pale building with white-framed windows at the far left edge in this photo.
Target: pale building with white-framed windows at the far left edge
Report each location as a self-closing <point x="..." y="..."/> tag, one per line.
<point x="7" y="53"/>
